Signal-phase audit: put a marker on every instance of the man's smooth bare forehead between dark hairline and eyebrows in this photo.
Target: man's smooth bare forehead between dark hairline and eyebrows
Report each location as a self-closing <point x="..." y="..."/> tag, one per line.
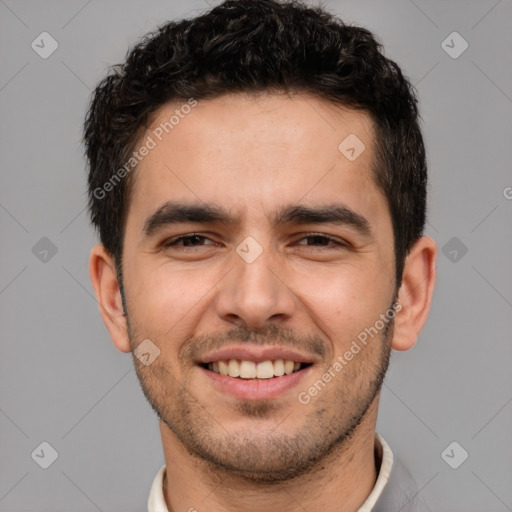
<point x="254" y="153"/>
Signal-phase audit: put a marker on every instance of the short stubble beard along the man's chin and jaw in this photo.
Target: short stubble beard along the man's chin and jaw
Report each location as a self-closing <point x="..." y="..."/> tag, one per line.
<point x="267" y="456"/>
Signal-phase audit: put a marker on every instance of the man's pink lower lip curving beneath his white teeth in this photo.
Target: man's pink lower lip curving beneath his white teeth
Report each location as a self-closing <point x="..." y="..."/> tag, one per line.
<point x="263" y="389"/>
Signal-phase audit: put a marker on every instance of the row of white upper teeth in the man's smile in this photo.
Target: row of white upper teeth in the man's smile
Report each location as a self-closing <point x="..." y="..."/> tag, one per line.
<point x="251" y="370"/>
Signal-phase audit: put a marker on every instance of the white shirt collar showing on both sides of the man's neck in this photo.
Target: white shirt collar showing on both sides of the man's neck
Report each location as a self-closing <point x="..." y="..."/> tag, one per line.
<point x="156" y="501"/>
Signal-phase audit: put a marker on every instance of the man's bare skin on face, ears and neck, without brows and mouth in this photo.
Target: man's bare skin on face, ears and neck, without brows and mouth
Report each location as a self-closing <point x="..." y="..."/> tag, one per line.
<point x="254" y="154"/>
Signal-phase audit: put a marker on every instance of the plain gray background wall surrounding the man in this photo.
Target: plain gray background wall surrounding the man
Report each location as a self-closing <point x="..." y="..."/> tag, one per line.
<point x="61" y="379"/>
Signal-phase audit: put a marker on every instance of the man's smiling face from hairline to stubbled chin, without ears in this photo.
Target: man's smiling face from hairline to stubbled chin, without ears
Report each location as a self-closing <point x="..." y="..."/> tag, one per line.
<point x="255" y="289"/>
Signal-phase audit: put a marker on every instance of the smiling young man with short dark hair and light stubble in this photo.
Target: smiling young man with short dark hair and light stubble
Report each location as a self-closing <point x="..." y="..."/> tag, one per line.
<point x="258" y="181"/>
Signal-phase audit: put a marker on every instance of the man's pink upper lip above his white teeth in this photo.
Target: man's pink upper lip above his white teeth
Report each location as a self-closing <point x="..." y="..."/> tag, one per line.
<point x="256" y="354"/>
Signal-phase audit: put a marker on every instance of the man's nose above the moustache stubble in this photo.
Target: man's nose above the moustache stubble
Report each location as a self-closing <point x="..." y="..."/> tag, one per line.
<point x="255" y="293"/>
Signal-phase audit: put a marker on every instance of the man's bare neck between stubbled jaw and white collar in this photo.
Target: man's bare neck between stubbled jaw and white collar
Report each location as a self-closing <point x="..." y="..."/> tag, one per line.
<point x="339" y="483"/>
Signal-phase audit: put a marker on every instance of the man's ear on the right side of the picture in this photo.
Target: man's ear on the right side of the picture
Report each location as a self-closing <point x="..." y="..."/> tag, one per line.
<point x="415" y="293"/>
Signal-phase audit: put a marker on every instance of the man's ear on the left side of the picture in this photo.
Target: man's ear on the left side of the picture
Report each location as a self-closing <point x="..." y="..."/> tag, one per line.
<point x="108" y="294"/>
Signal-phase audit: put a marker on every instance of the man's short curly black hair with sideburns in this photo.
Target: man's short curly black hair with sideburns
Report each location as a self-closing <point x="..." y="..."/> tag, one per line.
<point x="255" y="46"/>
